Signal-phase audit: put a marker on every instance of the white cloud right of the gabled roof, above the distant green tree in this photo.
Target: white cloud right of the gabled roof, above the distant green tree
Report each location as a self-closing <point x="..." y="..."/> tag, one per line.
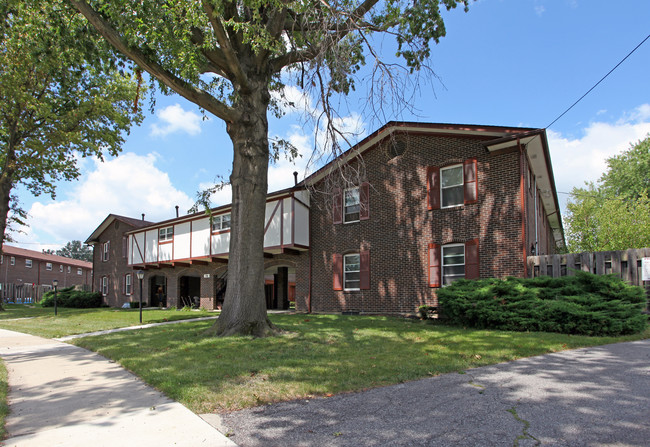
<point x="580" y="160"/>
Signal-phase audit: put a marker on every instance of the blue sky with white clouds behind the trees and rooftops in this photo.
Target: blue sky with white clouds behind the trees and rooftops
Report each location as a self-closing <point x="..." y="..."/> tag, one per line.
<point x="505" y="62"/>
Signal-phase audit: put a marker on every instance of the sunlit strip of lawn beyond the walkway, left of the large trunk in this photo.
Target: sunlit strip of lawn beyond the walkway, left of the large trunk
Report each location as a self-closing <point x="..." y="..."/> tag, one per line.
<point x="42" y="322"/>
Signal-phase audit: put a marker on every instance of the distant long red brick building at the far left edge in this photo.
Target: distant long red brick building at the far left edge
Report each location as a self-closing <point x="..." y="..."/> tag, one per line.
<point x="26" y="274"/>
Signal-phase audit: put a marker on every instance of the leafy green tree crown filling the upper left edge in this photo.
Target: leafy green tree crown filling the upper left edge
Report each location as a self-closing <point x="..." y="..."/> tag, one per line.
<point x="61" y="97"/>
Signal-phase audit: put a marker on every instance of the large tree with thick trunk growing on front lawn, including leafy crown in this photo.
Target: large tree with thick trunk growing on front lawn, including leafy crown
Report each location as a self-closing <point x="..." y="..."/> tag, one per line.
<point x="228" y="57"/>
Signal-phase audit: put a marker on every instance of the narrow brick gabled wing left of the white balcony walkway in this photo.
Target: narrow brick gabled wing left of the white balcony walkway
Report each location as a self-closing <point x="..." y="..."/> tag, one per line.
<point x="112" y="276"/>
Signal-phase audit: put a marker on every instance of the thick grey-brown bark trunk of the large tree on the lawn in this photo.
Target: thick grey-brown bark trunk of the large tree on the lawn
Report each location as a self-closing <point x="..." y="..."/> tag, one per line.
<point x="244" y="308"/>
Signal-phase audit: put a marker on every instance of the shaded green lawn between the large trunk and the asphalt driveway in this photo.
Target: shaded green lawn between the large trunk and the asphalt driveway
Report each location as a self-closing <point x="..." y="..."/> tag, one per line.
<point x="319" y="355"/>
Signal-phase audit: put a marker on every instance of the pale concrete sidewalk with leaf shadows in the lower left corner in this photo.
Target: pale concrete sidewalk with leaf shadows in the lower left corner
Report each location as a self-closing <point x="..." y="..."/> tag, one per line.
<point x="62" y="395"/>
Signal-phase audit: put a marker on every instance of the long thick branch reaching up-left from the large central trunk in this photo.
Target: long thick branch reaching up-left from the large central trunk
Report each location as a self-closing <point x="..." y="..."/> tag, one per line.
<point x="180" y="86"/>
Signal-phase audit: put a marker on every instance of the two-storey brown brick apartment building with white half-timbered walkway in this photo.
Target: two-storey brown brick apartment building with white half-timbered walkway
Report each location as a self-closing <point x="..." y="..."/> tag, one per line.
<point x="427" y="204"/>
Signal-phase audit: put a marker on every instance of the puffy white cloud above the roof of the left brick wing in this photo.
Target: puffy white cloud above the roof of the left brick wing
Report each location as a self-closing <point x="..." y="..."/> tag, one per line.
<point x="128" y="185"/>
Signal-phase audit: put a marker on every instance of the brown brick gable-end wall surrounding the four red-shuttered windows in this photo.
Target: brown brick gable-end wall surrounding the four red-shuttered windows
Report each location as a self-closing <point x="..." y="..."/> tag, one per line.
<point x="401" y="227"/>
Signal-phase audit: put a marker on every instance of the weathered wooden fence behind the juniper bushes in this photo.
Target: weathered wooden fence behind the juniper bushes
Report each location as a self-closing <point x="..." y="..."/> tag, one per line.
<point x="625" y="263"/>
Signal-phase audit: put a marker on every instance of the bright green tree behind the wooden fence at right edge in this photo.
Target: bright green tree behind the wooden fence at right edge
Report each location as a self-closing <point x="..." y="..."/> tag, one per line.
<point x="613" y="214"/>
